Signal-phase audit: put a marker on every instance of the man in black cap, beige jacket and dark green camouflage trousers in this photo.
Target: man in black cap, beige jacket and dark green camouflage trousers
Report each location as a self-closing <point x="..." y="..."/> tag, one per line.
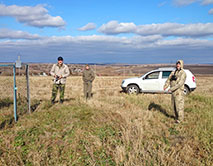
<point x="60" y="72"/>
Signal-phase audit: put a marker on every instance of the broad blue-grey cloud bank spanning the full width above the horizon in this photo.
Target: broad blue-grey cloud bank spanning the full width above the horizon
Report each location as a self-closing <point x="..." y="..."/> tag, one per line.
<point x="102" y="49"/>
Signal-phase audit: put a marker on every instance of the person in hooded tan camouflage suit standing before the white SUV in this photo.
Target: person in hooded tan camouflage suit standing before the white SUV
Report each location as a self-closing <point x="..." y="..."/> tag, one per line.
<point x="176" y="82"/>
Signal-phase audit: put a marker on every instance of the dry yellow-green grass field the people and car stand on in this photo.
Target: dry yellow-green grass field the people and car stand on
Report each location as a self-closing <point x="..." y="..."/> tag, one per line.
<point x="112" y="128"/>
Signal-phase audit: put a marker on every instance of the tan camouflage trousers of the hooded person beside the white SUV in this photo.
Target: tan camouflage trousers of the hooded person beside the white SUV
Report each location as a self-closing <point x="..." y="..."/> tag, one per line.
<point x="178" y="105"/>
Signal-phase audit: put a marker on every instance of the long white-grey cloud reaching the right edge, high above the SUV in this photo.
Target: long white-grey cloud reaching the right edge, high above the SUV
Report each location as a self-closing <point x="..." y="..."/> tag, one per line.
<point x="165" y="29"/>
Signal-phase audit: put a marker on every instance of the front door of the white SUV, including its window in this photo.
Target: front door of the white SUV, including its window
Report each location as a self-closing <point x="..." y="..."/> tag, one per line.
<point x="150" y="82"/>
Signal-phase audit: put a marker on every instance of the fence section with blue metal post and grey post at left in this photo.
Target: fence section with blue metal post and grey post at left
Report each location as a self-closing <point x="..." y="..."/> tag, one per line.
<point x="14" y="92"/>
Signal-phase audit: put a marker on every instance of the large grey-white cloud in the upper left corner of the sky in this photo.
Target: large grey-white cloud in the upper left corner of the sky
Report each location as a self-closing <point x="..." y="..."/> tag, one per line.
<point x="33" y="16"/>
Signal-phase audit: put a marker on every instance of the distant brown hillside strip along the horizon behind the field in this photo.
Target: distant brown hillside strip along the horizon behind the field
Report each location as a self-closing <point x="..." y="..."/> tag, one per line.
<point x="110" y="69"/>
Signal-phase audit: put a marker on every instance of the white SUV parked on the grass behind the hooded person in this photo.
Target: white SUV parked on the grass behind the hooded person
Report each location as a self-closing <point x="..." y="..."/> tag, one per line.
<point x="153" y="82"/>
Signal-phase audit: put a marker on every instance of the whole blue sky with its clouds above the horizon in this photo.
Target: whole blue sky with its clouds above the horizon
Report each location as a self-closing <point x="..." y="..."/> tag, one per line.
<point x="112" y="31"/>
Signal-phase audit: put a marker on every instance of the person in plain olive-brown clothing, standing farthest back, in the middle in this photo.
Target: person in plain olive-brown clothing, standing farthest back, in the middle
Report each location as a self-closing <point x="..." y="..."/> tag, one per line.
<point x="88" y="78"/>
